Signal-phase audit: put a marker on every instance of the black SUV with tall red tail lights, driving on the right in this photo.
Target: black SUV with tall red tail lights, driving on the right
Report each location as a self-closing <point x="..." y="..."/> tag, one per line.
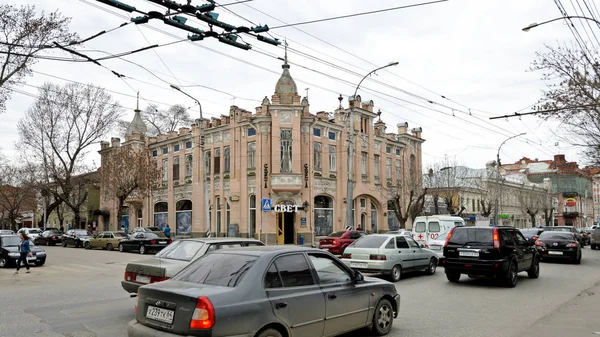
<point x="499" y="252"/>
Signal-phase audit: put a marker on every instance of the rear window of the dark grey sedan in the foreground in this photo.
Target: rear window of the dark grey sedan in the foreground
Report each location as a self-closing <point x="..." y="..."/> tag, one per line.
<point x="226" y="270"/>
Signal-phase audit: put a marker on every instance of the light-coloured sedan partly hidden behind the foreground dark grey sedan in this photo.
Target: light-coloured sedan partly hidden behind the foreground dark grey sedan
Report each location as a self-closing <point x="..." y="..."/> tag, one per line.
<point x="174" y="258"/>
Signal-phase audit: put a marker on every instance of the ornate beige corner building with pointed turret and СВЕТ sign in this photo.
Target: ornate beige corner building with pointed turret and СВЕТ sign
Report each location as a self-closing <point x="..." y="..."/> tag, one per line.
<point x="280" y="154"/>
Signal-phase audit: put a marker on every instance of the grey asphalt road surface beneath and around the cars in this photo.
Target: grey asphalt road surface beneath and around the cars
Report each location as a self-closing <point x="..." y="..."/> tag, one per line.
<point x="78" y="293"/>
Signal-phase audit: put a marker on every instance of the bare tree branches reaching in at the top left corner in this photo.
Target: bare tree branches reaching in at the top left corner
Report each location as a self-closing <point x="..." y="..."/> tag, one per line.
<point x="24" y="33"/>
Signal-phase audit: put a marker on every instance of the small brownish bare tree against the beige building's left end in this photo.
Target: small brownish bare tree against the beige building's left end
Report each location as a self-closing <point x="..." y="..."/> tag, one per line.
<point x="128" y="172"/>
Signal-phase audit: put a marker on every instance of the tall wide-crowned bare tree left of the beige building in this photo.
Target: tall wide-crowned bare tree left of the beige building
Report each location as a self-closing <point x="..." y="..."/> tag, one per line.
<point x="57" y="131"/>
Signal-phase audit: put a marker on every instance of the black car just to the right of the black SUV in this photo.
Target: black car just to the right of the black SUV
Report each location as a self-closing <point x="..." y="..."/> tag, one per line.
<point x="559" y="245"/>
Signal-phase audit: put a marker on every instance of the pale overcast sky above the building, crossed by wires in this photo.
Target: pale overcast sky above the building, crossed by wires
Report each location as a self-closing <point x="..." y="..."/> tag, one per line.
<point x="471" y="51"/>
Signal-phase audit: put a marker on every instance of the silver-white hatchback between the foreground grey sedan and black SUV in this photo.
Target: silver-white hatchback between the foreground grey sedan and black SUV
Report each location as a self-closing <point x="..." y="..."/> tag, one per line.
<point x="389" y="254"/>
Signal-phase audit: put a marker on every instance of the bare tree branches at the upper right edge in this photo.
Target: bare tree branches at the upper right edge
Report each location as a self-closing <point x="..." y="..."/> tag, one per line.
<point x="572" y="96"/>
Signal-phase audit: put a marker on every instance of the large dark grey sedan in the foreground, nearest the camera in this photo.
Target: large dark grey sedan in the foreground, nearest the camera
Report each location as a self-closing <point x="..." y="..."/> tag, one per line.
<point x="277" y="291"/>
